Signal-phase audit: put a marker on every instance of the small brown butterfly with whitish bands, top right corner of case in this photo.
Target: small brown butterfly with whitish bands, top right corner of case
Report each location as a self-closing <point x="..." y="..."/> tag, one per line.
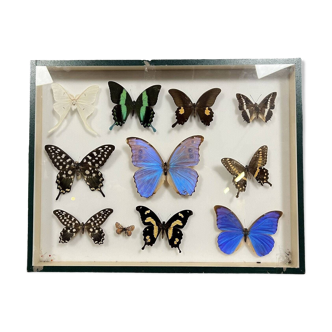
<point x="251" y="111"/>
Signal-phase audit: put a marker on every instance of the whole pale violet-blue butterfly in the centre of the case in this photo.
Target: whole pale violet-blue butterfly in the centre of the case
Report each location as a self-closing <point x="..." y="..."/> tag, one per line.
<point x="153" y="170"/>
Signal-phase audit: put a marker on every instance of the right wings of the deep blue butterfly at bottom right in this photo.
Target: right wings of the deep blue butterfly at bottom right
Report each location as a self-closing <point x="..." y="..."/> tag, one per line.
<point x="259" y="232"/>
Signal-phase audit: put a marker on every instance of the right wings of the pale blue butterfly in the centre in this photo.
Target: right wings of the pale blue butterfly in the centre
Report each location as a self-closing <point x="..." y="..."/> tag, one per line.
<point x="180" y="175"/>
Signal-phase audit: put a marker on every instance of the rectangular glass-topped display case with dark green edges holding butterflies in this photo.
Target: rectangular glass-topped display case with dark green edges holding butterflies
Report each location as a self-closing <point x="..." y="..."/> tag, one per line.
<point x="229" y="135"/>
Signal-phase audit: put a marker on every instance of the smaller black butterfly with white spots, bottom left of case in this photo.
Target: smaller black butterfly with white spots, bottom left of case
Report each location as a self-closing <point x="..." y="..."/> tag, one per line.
<point x="73" y="226"/>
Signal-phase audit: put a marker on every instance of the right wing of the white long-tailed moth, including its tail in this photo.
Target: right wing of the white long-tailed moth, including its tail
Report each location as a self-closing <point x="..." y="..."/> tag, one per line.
<point x="84" y="105"/>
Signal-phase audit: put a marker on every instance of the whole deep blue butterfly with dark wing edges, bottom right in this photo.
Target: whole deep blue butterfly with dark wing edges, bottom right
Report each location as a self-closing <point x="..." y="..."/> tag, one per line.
<point x="258" y="236"/>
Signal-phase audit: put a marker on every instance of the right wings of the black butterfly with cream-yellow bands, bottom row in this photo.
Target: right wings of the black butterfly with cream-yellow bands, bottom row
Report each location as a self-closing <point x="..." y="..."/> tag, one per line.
<point x="173" y="226"/>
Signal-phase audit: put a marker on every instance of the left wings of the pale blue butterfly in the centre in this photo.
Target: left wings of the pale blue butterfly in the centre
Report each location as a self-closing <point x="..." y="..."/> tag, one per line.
<point x="150" y="175"/>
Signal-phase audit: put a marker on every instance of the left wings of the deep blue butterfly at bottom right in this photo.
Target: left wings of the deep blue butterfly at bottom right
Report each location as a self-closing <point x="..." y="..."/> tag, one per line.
<point x="229" y="239"/>
